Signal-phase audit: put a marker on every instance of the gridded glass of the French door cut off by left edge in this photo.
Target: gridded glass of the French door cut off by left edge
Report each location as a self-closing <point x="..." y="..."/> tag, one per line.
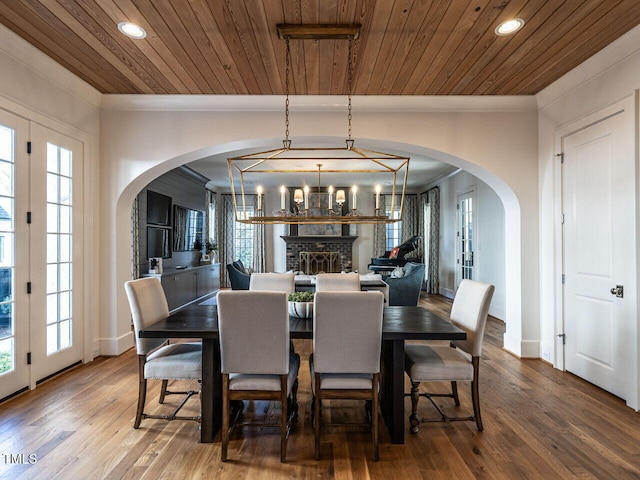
<point x="7" y="259"/>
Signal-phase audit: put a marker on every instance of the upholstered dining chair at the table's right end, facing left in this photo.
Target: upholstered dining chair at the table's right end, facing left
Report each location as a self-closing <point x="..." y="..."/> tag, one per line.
<point x="458" y="362"/>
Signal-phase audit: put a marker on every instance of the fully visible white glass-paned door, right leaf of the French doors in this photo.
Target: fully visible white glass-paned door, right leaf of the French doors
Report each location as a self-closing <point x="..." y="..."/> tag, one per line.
<point x="57" y="263"/>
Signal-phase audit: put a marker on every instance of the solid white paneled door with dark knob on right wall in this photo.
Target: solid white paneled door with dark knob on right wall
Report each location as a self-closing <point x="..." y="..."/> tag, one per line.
<point x="599" y="252"/>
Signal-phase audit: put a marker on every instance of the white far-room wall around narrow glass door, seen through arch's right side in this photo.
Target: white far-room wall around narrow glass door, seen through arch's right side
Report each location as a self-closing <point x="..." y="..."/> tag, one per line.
<point x="489" y="237"/>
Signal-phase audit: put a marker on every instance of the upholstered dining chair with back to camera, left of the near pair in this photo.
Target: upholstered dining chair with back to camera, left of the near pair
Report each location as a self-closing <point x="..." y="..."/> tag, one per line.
<point x="255" y="359"/>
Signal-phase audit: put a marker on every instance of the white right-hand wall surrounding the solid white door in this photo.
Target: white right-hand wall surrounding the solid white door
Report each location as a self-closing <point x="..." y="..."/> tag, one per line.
<point x="606" y="78"/>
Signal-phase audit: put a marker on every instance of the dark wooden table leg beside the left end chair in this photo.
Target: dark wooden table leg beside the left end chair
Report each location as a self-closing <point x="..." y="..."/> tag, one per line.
<point x="211" y="397"/>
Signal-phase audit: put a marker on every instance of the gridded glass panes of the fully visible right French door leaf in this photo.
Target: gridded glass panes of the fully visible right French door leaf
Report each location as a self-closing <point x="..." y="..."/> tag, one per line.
<point x="59" y="245"/>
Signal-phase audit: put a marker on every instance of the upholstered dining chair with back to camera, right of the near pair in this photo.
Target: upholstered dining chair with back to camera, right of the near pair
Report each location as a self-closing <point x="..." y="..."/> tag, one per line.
<point x="345" y="364"/>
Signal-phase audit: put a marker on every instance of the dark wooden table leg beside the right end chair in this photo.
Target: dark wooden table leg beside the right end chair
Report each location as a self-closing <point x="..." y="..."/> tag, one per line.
<point x="392" y="388"/>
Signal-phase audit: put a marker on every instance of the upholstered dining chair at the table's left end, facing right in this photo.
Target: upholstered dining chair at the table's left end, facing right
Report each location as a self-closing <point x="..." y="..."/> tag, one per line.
<point x="157" y="358"/>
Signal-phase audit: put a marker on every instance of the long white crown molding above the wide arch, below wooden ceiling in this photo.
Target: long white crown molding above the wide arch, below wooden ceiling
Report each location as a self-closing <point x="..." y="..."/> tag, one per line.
<point x="364" y="103"/>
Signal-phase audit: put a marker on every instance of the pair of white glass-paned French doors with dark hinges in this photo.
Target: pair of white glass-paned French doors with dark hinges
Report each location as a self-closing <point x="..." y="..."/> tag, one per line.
<point x="41" y="321"/>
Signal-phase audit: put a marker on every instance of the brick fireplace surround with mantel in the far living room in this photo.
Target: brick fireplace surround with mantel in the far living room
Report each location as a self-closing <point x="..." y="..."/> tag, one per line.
<point x="321" y="243"/>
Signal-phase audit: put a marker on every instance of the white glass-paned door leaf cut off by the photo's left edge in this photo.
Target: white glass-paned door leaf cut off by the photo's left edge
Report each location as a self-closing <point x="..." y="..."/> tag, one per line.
<point x="14" y="319"/>
